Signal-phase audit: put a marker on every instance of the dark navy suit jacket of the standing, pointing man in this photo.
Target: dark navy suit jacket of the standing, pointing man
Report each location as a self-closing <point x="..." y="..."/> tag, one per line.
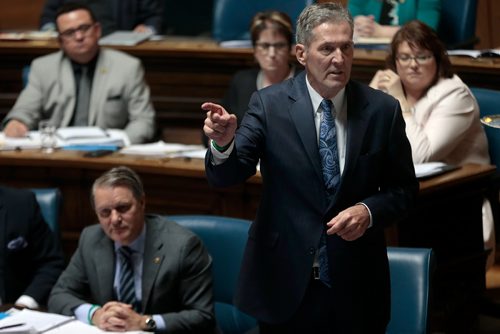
<point x="279" y="131"/>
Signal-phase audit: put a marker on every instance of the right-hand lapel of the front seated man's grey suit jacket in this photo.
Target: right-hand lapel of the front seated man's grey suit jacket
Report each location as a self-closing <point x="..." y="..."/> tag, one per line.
<point x="153" y="258"/>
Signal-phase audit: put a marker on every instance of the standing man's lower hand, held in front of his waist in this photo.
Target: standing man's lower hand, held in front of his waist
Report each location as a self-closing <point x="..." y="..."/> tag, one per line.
<point x="350" y="224"/>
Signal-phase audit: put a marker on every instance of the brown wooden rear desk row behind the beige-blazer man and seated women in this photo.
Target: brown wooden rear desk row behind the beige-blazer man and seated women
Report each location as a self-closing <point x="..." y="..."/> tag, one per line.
<point x="183" y="73"/>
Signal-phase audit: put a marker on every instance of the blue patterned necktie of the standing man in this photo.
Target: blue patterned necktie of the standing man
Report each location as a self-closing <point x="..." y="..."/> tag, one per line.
<point x="331" y="174"/>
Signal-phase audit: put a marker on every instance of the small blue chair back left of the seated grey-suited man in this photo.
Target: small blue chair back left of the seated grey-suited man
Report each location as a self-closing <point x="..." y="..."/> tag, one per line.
<point x="49" y="200"/>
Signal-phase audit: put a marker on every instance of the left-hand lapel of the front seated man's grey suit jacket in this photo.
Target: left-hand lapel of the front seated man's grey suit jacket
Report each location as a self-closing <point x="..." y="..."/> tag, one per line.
<point x="103" y="255"/>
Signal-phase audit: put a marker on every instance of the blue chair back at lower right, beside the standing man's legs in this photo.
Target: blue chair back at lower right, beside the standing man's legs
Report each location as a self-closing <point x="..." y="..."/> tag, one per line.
<point x="411" y="275"/>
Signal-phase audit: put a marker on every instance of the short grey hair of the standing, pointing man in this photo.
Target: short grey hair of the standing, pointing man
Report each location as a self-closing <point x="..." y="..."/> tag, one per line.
<point x="319" y="13"/>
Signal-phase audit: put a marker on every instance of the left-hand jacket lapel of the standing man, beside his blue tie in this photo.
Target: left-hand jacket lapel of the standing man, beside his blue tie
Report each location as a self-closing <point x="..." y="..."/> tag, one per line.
<point x="302" y="115"/>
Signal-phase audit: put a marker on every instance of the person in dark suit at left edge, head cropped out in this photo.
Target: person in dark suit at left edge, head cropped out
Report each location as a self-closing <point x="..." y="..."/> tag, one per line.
<point x="30" y="259"/>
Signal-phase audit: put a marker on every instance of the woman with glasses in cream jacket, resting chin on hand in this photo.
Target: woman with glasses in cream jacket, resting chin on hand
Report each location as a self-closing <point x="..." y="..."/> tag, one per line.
<point x="441" y="114"/>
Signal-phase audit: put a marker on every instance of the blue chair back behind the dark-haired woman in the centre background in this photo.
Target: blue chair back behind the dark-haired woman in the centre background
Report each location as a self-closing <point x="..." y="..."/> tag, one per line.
<point x="231" y="18"/>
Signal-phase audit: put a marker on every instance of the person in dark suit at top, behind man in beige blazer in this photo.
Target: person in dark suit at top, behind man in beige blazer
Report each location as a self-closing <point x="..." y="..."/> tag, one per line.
<point x="136" y="15"/>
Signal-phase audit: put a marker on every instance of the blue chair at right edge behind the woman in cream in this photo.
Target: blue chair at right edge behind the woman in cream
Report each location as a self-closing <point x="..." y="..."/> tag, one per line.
<point x="488" y="105"/>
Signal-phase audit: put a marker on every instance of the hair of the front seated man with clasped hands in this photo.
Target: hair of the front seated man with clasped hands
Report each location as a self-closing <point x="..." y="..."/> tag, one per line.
<point x="119" y="177"/>
